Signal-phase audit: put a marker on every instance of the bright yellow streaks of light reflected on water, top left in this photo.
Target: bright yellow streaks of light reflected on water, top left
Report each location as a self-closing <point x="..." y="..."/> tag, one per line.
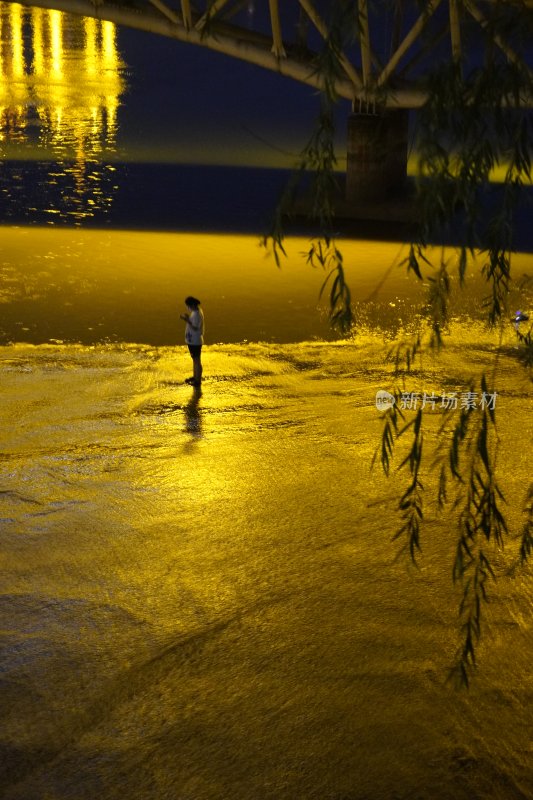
<point x="61" y="80"/>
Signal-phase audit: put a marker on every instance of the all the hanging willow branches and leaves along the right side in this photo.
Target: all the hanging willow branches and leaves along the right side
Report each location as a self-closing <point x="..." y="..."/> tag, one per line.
<point x="474" y="120"/>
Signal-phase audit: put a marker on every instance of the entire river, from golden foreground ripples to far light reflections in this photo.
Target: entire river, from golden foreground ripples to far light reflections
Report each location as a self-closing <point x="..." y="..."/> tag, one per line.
<point x="200" y="598"/>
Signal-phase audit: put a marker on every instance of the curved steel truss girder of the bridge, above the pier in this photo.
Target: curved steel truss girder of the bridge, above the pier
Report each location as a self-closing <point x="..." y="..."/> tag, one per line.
<point x="369" y="70"/>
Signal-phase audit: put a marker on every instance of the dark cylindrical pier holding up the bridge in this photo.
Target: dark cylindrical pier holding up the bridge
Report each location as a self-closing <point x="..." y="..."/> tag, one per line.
<point x="377" y="156"/>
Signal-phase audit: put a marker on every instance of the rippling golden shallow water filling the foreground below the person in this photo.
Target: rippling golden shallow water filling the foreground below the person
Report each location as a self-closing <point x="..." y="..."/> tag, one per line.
<point x="200" y="596"/>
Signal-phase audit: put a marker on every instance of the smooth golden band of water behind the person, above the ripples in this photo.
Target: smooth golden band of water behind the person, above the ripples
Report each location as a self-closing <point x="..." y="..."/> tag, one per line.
<point x="128" y="286"/>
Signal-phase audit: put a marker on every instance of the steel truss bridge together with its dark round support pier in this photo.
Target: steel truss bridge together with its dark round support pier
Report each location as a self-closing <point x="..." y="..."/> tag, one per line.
<point x="382" y="51"/>
